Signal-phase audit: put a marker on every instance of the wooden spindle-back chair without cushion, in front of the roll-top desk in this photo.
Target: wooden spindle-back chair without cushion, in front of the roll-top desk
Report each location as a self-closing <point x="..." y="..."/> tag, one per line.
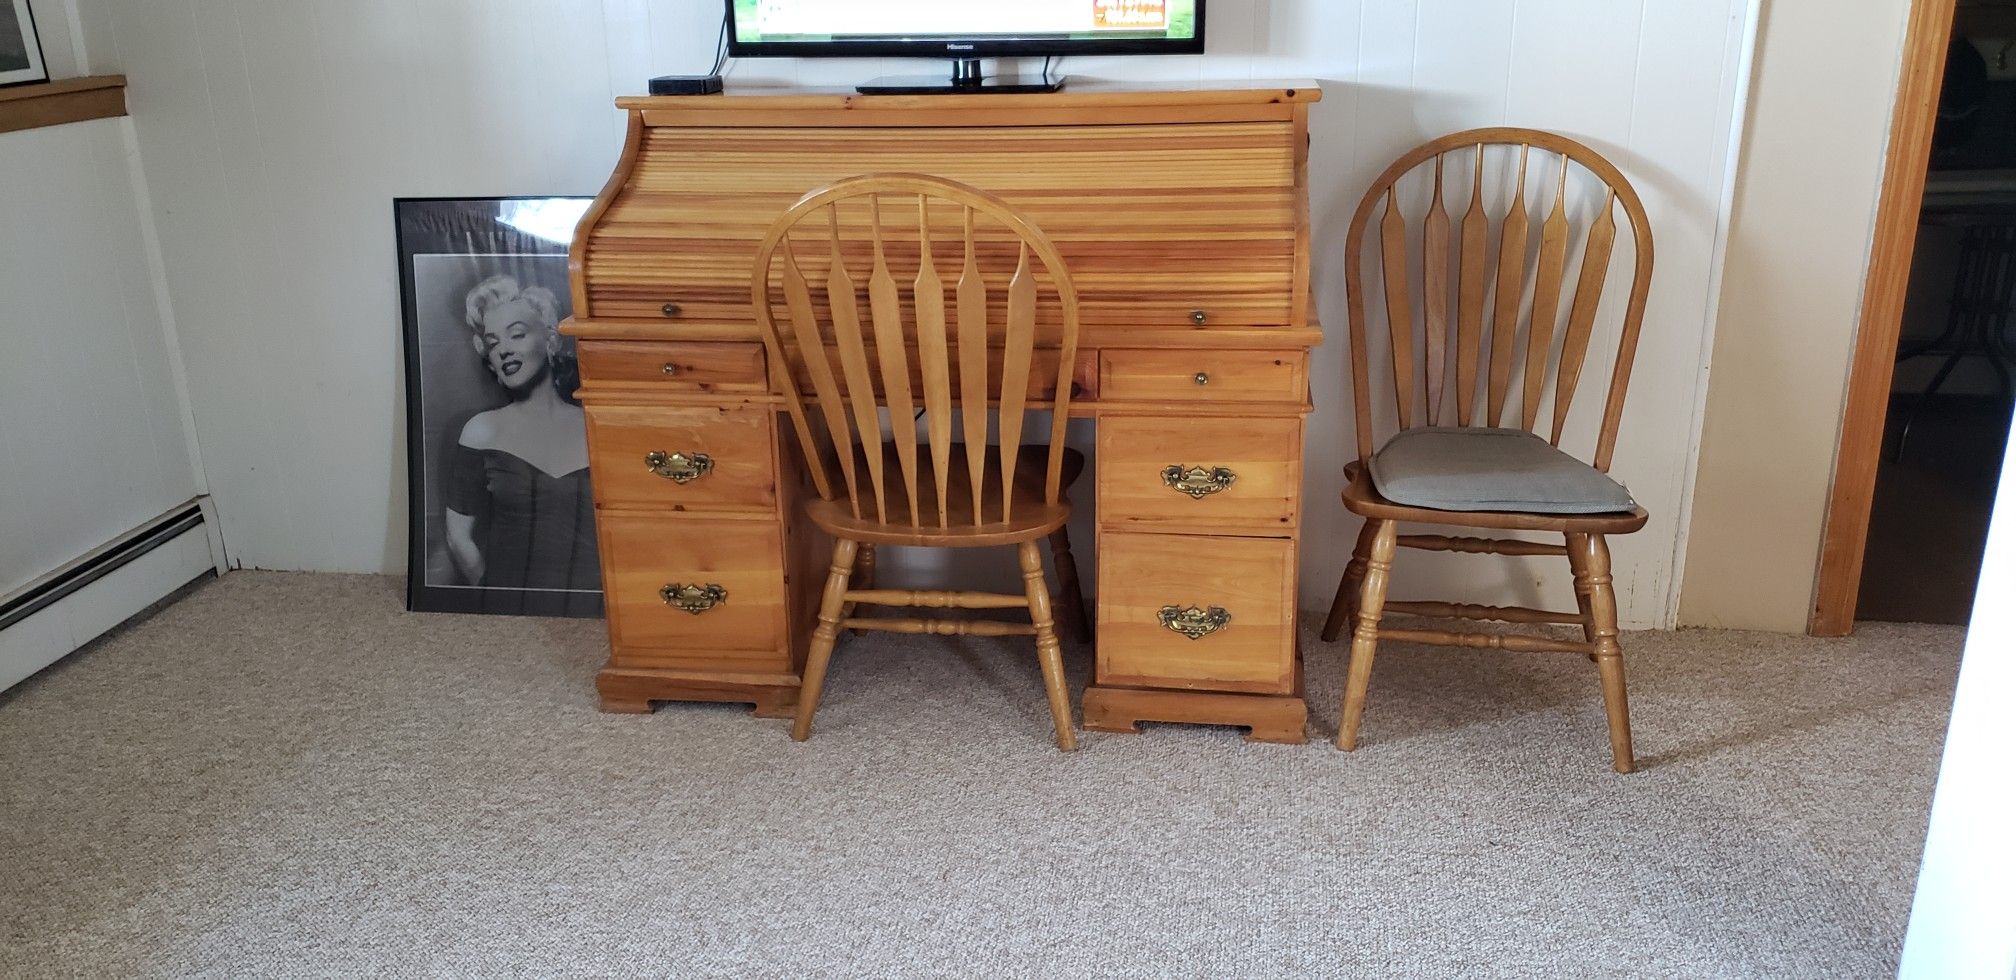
<point x="957" y="344"/>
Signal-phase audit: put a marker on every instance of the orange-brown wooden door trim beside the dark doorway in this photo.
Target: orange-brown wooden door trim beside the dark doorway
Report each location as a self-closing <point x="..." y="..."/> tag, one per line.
<point x="1876" y="342"/>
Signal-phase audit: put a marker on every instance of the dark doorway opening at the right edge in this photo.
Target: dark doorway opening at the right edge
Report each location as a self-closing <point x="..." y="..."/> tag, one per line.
<point x="1957" y="346"/>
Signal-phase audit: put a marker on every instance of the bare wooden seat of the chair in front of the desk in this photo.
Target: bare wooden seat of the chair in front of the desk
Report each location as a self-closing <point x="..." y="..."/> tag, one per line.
<point x="1031" y="517"/>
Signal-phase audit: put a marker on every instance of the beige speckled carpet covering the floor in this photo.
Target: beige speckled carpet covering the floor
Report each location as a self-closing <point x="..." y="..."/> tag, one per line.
<point x="287" y="775"/>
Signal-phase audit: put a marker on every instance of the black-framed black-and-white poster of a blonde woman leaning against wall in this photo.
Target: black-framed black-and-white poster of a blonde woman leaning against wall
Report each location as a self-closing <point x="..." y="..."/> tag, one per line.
<point x="501" y="515"/>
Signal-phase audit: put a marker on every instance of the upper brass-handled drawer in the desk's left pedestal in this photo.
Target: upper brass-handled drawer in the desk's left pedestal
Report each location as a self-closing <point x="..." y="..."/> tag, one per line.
<point x="682" y="457"/>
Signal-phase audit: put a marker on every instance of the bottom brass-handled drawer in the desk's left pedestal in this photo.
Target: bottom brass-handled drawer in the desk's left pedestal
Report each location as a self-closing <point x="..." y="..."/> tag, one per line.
<point x="646" y="554"/>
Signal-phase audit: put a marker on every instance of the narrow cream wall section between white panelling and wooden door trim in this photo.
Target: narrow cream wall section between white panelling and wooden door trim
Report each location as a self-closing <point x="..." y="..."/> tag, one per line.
<point x="1799" y="253"/>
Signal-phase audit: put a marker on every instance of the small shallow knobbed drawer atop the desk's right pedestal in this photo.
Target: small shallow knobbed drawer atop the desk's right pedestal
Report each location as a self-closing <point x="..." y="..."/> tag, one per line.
<point x="1203" y="376"/>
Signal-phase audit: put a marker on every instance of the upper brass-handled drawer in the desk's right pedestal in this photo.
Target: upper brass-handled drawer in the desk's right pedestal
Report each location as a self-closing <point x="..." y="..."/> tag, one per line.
<point x="1201" y="475"/>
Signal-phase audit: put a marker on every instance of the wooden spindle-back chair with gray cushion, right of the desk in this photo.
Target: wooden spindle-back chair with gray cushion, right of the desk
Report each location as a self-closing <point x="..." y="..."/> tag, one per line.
<point x="1519" y="350"/>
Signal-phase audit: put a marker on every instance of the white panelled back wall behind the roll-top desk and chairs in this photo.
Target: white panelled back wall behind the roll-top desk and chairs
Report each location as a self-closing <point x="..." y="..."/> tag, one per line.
<point x="275" y="138"/>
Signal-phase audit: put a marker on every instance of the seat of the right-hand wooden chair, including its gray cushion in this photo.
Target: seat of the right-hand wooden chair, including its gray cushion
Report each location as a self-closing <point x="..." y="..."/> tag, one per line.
<point x="1489" y="479"/>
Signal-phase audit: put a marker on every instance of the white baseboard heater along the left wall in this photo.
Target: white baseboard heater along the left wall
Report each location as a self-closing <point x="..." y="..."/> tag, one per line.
<point x="96" y="594"/>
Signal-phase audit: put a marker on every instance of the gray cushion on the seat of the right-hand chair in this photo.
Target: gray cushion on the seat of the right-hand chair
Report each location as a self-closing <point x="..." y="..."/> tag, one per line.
<point x="1451" y="469"/>
